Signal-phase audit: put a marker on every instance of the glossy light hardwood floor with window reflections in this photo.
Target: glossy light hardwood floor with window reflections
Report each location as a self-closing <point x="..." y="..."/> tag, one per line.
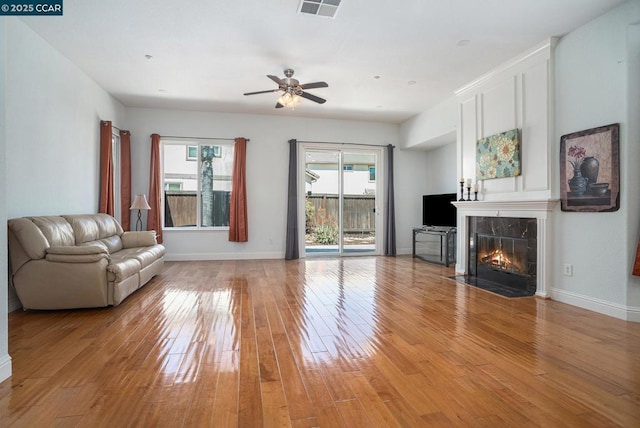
<point x="353" y="342"/>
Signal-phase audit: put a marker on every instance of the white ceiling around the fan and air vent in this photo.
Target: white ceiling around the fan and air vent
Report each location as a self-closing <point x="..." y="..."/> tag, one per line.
<point x="207" y="53"/>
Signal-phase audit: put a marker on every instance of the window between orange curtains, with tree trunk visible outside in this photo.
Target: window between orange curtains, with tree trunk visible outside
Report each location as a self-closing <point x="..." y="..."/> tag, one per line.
<point x="197" y="188"/>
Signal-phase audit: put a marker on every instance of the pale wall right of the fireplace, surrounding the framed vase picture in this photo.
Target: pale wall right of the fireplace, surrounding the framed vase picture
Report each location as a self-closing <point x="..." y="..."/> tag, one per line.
<point x="592" y="80"/>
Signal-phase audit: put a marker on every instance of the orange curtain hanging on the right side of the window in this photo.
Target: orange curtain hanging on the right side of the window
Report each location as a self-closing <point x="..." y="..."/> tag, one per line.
<point x="238" y="227"/>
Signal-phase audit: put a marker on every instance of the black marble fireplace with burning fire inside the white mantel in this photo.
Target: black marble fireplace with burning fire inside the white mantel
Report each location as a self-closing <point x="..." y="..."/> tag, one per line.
<point x="503" y="250"/>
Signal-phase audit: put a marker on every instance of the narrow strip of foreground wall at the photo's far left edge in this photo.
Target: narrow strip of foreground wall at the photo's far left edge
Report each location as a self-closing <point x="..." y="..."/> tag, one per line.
<point x="5" y="359"/>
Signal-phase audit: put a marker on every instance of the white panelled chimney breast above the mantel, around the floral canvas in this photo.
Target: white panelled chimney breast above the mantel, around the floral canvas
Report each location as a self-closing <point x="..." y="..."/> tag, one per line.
<point x="514" y="95"/>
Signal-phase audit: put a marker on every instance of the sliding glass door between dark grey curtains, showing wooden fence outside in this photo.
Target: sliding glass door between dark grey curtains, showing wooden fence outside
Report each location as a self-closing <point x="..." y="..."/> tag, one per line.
<point x="341" y="214"/>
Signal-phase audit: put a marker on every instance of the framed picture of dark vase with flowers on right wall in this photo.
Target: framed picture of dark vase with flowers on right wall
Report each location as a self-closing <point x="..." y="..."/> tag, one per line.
<point x="590" y="170"/>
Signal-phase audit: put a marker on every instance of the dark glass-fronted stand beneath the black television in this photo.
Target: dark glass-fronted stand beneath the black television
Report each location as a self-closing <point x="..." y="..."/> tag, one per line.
<point x="435" y="244"/>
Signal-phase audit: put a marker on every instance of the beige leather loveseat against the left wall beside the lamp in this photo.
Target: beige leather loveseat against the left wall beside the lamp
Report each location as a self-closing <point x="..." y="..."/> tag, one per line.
<point x="79" y="261"/>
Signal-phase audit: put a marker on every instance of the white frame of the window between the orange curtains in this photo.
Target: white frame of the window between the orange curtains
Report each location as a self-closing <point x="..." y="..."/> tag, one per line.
<point x="218" y="153"/>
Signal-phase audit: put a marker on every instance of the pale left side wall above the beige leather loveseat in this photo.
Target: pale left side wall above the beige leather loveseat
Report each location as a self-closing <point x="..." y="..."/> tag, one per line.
<point x="53" y="116"/>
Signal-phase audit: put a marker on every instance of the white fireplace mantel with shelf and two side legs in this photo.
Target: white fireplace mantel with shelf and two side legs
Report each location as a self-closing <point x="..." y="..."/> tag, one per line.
<point x="540" y="210"/>
